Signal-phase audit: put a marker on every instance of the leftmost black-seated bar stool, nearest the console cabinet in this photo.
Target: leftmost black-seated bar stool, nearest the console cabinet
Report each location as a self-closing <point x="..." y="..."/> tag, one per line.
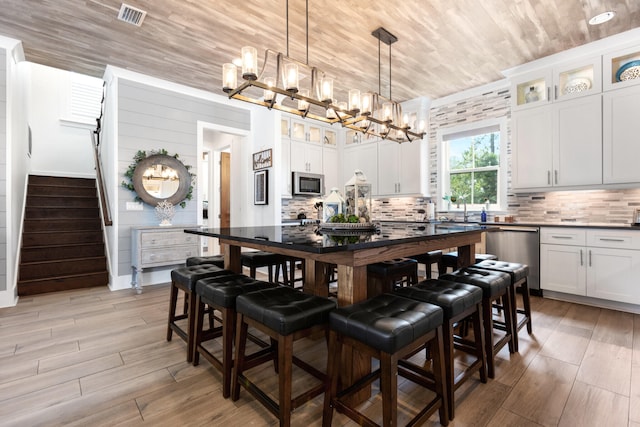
<point x="184" y="279"/>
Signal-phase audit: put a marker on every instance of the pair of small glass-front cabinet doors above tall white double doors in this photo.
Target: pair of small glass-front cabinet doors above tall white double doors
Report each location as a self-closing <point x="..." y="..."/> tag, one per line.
<point x="570" y="80"/>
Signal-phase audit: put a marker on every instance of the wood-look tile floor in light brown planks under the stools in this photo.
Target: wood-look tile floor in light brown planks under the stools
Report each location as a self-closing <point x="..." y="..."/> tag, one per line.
<point x="94" y="357"/>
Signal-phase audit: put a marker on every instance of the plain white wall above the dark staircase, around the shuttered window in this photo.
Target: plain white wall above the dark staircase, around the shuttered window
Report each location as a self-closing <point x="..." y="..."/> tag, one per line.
<point x="59" y="148"/>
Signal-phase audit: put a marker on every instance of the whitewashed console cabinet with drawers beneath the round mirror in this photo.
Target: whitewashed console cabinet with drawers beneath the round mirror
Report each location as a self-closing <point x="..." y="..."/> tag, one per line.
<point x="160" y="247"/>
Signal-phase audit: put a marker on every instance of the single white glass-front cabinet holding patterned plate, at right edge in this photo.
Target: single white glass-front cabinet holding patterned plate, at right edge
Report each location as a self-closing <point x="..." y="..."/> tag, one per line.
<point x="621" y="68"/>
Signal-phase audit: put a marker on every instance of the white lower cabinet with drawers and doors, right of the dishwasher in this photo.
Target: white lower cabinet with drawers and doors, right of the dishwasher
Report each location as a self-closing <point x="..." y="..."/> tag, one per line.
<point x="598" y="263"/>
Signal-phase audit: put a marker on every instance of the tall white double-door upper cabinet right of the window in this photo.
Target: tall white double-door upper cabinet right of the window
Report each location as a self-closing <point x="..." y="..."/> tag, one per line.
<point x="558" y="145"/>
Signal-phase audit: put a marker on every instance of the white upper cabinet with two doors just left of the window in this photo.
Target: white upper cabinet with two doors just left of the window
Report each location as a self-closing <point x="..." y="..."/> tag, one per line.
<point x="401" y="169"/>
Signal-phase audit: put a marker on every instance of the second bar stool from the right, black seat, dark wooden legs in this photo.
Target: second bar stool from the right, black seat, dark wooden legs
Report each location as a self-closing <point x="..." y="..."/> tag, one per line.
<point x="495" y="286"/>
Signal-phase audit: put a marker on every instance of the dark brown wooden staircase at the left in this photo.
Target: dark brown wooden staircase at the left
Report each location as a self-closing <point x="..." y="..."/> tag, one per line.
<point x="62" y="240"/>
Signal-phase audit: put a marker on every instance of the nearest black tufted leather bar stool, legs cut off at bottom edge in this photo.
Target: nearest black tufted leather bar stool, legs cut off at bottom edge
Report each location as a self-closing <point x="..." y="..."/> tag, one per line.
<point x="388" y="327"/>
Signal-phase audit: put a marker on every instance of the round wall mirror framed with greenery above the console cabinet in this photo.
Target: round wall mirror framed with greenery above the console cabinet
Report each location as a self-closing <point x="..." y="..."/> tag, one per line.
<point x="160" y="177"/>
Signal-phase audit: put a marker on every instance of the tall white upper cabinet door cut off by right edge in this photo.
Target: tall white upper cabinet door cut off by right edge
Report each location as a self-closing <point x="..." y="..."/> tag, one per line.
<point x="621" y="129"/>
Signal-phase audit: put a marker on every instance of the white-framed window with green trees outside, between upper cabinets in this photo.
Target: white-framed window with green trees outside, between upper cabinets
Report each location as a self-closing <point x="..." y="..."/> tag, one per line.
<point x="470" y="165"/>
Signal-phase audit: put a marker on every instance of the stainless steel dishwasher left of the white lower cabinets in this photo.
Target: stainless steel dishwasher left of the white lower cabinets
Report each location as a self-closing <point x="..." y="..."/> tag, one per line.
<point x="521" y="244"/>
